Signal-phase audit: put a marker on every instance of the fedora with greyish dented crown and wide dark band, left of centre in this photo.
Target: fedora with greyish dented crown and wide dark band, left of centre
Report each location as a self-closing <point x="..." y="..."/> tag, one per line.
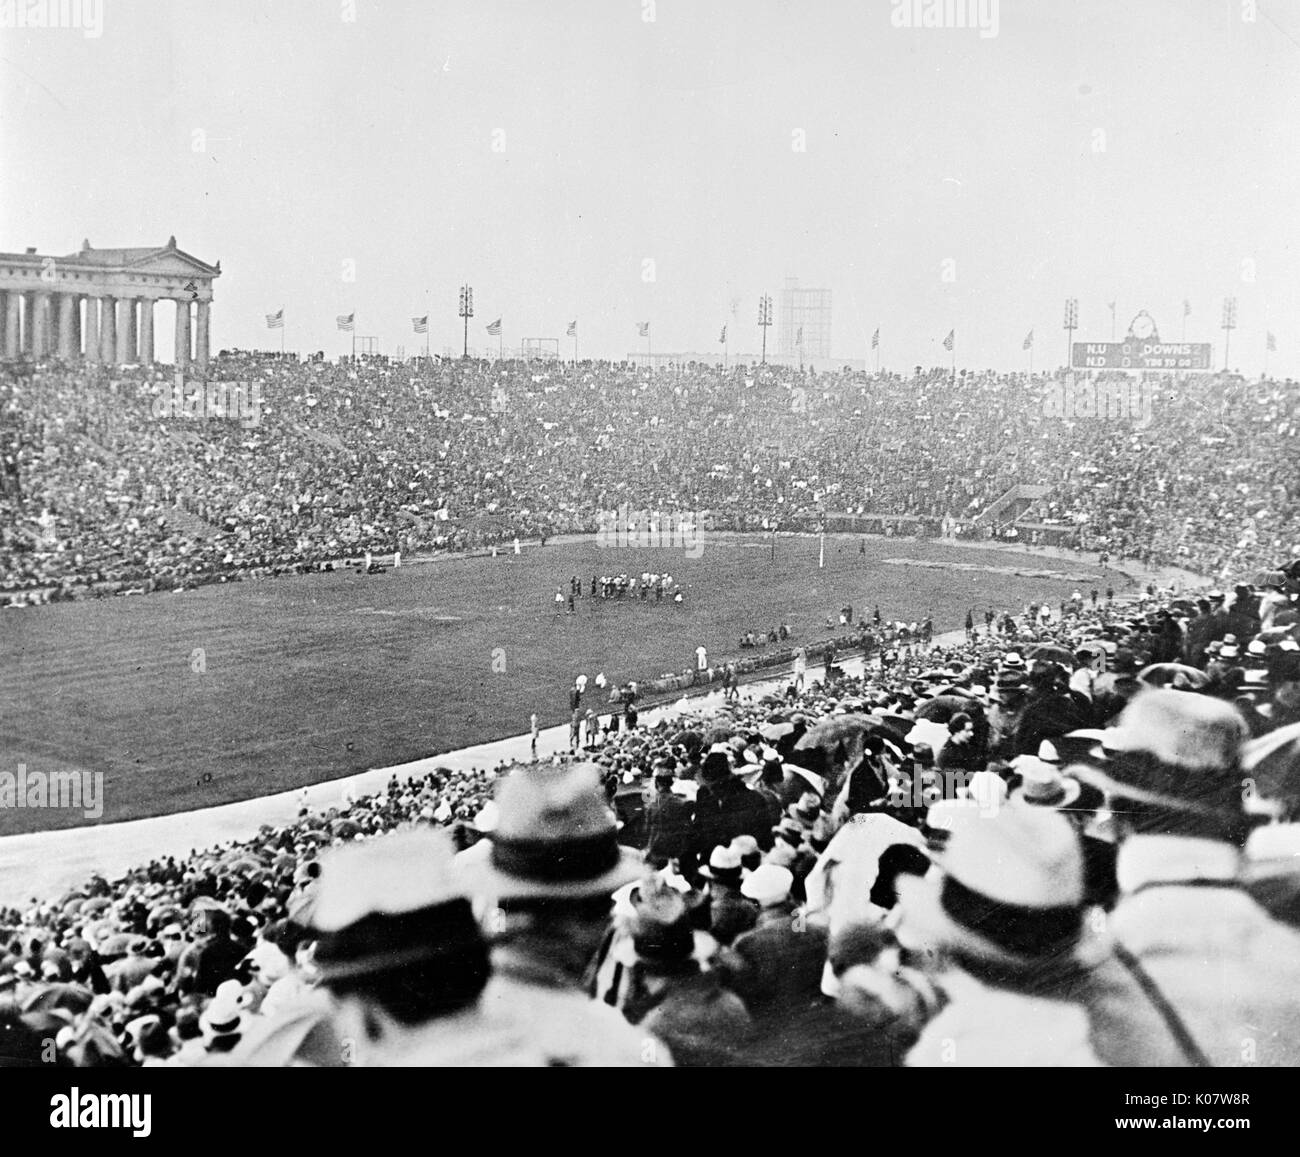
<point x="556" y="838"/>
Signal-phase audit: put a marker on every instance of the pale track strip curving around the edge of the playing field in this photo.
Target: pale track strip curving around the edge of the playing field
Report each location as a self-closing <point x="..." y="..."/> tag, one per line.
<point x="44" y="865"/>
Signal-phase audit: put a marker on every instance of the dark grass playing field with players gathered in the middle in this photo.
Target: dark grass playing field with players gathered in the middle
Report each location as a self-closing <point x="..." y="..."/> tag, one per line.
<point x="317" y="678"/>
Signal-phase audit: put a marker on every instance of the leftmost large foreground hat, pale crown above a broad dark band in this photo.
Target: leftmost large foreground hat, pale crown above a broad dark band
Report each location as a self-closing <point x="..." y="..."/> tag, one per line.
<point x="391" y="903"/>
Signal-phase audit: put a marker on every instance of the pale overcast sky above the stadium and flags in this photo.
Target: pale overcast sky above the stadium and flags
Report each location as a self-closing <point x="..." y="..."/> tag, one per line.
<point x="1141" y="151"/>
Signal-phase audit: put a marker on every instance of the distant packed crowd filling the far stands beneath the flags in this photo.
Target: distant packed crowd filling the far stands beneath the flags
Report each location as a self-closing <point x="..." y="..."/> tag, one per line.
<point x="99" y="488"/>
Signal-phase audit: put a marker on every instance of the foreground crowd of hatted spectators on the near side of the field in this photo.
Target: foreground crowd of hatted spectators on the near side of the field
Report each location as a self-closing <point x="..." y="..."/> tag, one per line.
<point x="1067" y="842"/>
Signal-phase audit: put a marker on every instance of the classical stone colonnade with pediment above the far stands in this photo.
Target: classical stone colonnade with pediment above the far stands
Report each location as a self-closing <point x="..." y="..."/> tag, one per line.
<point x="98" y="305"/>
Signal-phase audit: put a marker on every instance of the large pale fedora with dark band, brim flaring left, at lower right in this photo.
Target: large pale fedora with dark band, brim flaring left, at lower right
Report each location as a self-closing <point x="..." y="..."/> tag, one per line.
<point x="1011" y="891"/>
